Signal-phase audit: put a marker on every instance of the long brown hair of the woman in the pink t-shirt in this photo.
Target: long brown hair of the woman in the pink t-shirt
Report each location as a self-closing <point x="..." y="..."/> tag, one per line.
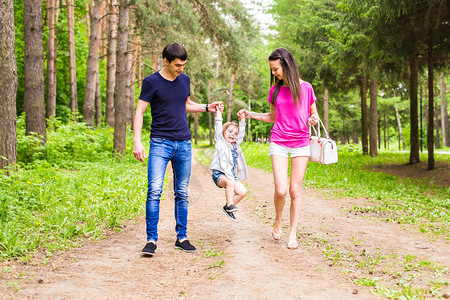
<point x="291" y="74"/>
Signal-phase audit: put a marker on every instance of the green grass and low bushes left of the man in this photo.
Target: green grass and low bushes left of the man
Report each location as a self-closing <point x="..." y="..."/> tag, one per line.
<point x="69" y="190"/>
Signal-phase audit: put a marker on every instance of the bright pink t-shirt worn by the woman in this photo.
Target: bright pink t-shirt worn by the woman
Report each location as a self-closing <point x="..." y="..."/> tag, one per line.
<point x="291" y="127"/>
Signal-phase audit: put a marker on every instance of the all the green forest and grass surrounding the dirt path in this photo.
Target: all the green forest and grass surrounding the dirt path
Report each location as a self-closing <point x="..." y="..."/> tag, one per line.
<point x="70" y="76"/>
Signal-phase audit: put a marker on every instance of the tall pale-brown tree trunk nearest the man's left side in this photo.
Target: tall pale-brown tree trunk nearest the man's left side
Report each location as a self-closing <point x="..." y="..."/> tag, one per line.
<point x="120" y="94"/>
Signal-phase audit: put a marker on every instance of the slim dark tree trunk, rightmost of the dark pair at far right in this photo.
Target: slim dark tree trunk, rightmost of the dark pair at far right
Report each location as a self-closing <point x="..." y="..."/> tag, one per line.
<point x="430" y="129"/>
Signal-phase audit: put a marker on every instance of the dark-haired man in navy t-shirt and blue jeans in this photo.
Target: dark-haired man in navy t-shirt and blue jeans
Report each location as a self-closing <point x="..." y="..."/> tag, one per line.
<point x="167" y="92"/>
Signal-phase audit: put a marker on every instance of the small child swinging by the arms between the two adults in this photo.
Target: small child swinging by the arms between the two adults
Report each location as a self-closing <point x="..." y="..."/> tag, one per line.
<point x="228" y="164"/>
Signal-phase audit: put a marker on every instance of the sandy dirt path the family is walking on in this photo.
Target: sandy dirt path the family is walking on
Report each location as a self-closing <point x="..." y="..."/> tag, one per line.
<point x="234" y="260"/>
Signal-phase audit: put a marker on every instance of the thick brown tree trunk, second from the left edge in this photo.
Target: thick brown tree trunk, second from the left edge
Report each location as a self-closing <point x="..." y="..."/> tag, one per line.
<point x="34" y="86"/>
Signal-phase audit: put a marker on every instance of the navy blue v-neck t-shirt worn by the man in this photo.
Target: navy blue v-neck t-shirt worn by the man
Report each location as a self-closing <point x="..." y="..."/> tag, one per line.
<point x="168" y="106"/>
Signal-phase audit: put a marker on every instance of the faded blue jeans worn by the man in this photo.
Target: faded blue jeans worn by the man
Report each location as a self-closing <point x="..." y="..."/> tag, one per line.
<point x="161" y="152"/>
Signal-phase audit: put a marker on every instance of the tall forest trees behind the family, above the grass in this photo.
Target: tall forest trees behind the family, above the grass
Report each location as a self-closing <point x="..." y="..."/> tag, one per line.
<point x="85" y="61"/>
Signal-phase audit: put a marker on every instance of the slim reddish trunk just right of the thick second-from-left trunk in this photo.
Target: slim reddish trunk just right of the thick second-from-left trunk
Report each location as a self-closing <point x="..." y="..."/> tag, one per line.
<point x="51" y="59"/>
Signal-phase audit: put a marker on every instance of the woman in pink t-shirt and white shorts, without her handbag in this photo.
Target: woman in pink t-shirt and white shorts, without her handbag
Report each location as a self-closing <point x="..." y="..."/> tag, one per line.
<point x="292" y="108"/>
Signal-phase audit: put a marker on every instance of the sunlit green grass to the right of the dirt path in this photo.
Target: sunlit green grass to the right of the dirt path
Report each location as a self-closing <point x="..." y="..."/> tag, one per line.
<point x="402" y="200"/>
